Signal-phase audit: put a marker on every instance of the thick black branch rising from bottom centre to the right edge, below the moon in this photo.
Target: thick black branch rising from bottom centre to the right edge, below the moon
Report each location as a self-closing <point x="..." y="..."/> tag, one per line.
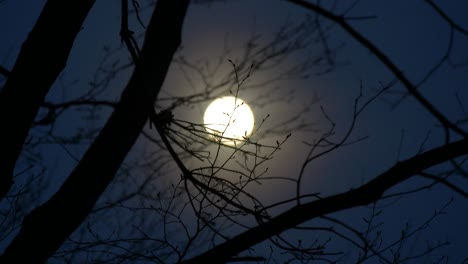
<point x="366" y="194"/>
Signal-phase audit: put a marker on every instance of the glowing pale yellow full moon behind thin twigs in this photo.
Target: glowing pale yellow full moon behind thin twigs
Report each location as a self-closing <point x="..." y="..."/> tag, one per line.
<point x="230" y="118"/>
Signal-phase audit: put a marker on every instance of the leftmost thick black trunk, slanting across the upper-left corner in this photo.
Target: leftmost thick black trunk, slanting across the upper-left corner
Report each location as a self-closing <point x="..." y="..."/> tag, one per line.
<point x="42" y="57"/>
